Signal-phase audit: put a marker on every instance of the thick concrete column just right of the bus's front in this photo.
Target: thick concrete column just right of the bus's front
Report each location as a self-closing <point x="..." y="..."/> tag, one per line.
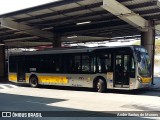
<point x="148" y="41"/>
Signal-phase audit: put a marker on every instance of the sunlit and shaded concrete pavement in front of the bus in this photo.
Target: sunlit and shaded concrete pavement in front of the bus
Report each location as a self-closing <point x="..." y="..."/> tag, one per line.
<point x="51" y="98"/>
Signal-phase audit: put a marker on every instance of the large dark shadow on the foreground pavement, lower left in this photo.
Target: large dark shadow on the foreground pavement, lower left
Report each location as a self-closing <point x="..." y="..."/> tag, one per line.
<point x="21" y="103"/>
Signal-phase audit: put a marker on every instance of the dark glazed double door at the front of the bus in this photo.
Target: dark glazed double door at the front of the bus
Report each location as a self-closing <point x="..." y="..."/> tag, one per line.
<point x="121" y="71"/>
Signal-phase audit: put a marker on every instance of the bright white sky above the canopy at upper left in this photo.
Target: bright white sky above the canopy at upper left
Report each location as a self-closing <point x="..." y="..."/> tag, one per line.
<point x="7" y="6"/>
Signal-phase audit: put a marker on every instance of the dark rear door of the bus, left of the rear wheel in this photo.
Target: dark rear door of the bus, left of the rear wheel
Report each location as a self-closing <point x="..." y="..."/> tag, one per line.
<point x="21" y="70"/>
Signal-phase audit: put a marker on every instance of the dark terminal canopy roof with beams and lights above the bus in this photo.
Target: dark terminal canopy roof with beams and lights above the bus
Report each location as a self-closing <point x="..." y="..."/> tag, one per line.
<point x="38" y="25"/>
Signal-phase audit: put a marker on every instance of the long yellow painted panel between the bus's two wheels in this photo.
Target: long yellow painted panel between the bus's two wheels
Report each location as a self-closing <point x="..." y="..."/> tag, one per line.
<point x="53" y="79"/>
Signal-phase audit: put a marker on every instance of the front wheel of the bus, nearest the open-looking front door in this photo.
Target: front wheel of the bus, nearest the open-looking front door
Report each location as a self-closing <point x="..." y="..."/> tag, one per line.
<point x="100" y="86"/>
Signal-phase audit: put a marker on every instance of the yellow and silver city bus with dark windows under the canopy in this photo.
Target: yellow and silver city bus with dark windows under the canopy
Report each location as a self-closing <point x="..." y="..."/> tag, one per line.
<point x="101" y="68"/>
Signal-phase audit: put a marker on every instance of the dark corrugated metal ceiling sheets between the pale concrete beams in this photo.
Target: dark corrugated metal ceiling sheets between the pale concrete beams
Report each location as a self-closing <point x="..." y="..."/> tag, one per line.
<point x="62" y="16"/>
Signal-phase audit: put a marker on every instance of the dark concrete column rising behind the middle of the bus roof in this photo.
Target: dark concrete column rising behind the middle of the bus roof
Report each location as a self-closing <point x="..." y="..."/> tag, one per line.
<point x="57" y="40"/>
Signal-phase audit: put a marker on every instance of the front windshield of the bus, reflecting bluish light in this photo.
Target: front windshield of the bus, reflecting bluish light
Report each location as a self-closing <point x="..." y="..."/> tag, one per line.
<point x="144" y="65"/>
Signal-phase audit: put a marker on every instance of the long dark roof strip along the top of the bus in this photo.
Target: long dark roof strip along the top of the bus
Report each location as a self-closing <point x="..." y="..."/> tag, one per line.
<point x="69" y="50"/>
